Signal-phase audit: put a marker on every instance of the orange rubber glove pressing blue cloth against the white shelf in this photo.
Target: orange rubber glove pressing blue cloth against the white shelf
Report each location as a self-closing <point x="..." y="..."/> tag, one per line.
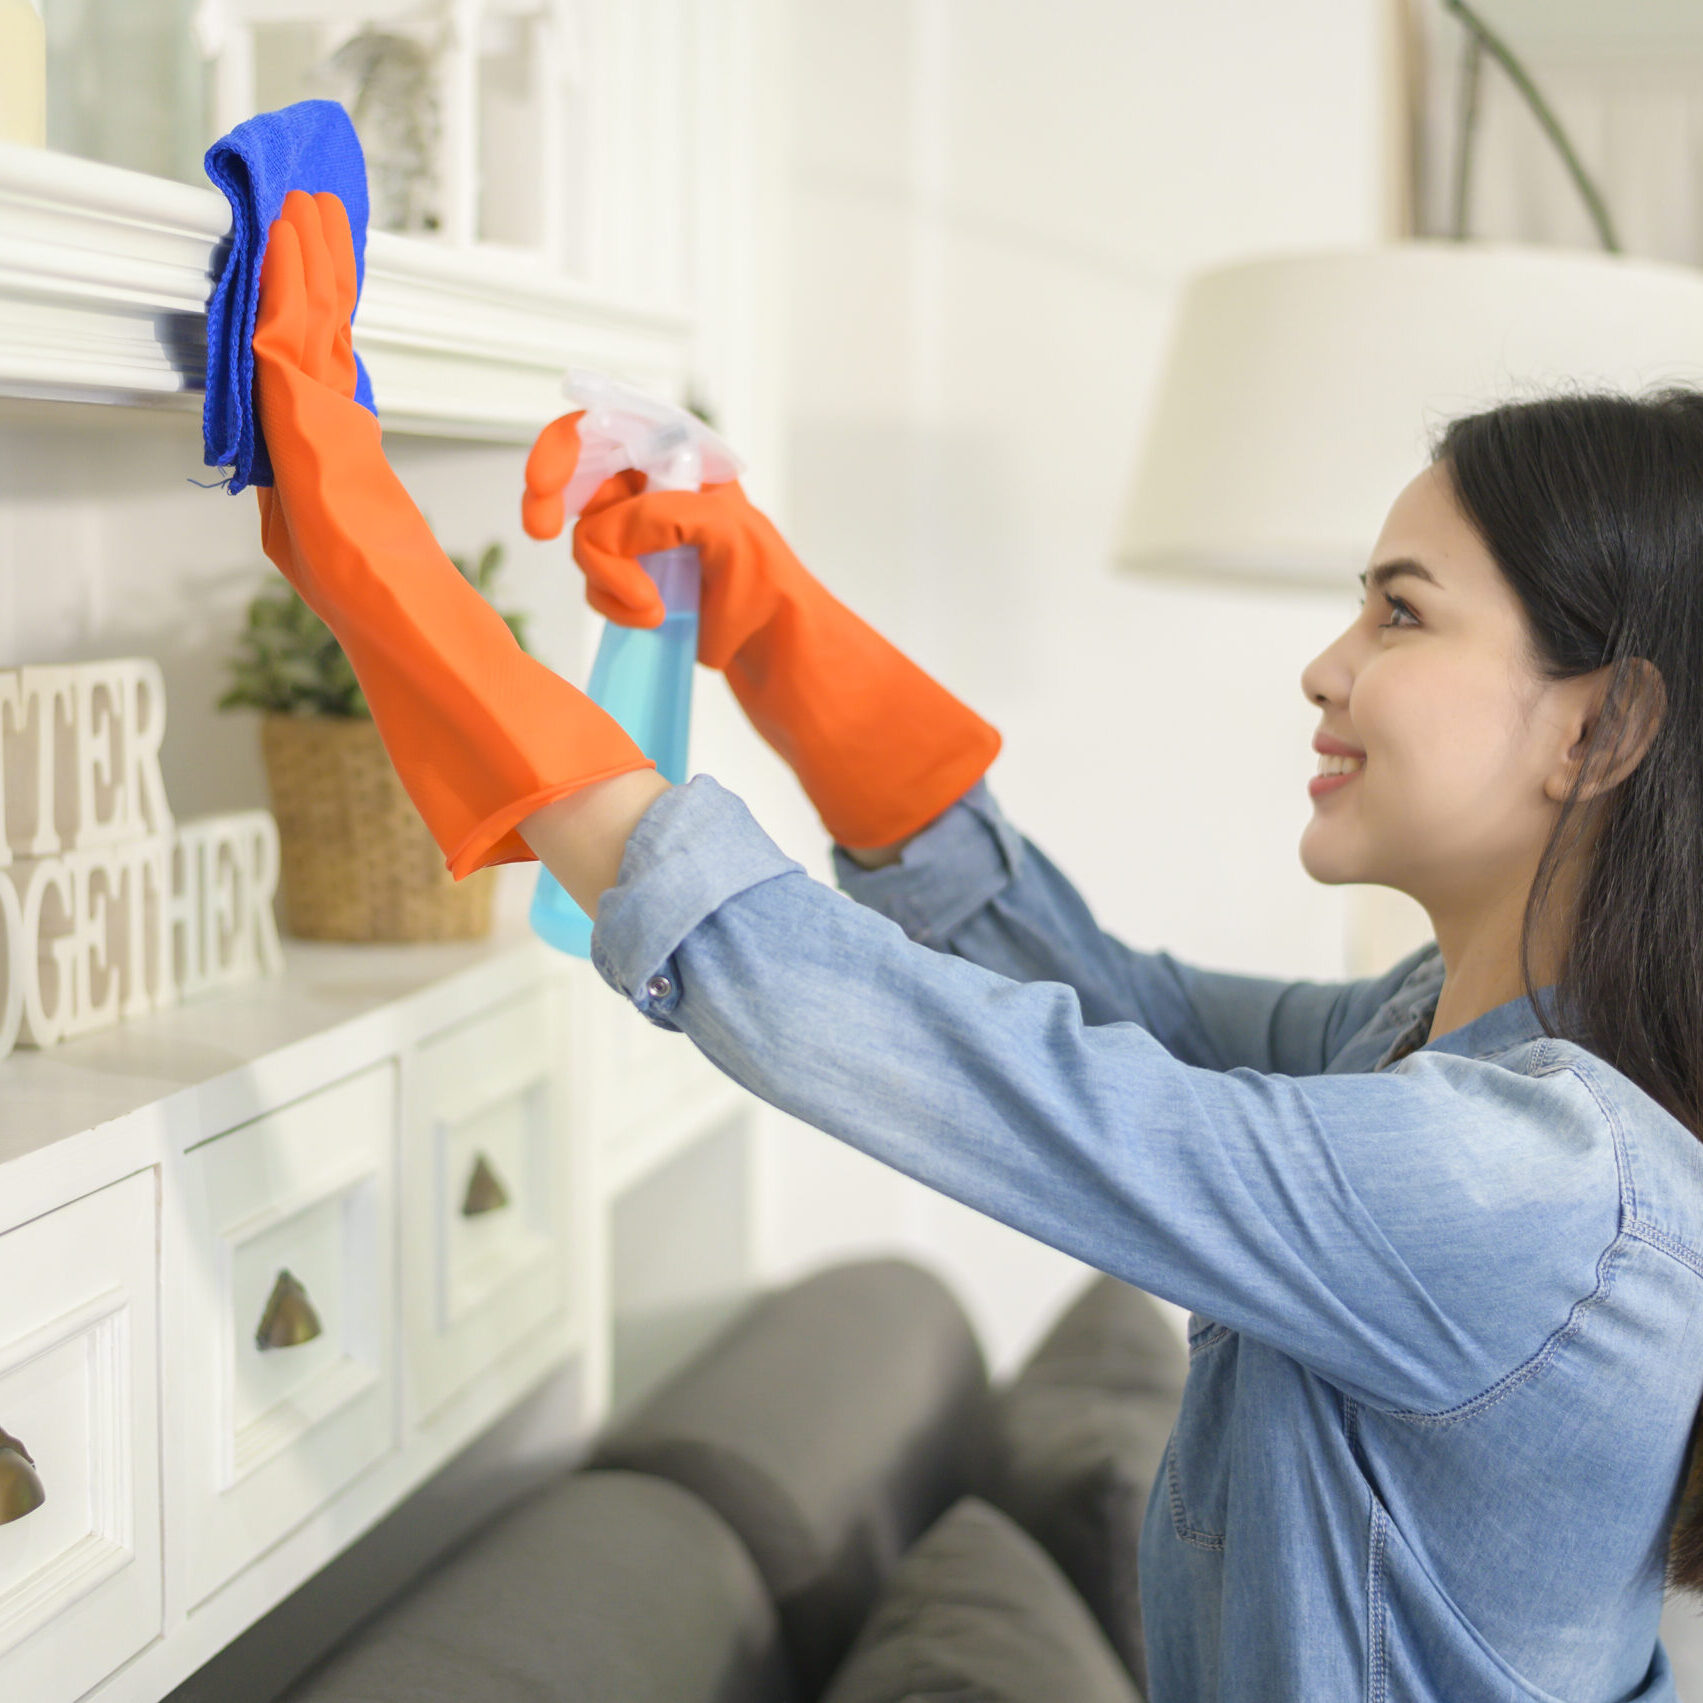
<point x="479" y="733"/>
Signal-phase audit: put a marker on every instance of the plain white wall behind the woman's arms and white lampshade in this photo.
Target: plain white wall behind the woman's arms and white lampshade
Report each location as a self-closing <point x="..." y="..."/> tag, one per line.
<point x="990" y="209"/>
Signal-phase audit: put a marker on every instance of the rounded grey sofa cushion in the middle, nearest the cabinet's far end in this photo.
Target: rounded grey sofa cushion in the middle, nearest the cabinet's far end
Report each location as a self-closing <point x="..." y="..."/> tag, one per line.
<point x="829" y="1426"/>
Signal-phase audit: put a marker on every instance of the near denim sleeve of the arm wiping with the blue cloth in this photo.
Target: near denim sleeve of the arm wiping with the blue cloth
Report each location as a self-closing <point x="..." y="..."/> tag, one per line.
<point x="1413" y="1236"/>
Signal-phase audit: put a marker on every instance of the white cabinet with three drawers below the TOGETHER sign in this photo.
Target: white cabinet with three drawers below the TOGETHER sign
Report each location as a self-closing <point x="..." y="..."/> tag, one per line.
<point x="391" y="1159"/>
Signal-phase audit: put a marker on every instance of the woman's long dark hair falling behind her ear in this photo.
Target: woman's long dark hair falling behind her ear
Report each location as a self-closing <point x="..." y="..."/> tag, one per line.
<point x="1593" y="510"/>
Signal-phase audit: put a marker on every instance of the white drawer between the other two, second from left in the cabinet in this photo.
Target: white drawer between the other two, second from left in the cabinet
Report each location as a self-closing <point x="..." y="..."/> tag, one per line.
<point x="284" y="1321"/>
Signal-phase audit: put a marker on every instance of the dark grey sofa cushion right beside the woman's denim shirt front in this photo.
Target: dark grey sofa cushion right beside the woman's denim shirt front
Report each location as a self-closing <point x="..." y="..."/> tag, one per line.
<point x="1079" y="1443"/>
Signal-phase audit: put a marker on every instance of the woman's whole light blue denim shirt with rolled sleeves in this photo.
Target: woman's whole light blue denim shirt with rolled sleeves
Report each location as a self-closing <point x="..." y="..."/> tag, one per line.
<point x="1447" y="1338"/>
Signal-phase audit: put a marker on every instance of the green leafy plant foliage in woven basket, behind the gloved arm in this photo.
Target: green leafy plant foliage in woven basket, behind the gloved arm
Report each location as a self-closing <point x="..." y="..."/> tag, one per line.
<point x="289" y="662"/>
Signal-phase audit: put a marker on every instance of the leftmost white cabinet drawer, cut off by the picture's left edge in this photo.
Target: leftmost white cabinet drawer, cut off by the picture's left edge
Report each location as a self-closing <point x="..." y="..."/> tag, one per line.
<point x="81" y="1573"/>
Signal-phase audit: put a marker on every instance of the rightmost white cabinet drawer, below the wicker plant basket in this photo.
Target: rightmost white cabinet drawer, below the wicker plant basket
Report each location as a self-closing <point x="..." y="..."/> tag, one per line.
<point x="486" y="1191"/>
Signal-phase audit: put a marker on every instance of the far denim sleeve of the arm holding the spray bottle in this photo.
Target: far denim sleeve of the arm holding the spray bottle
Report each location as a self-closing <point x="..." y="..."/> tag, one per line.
<point x="973" y="886"/>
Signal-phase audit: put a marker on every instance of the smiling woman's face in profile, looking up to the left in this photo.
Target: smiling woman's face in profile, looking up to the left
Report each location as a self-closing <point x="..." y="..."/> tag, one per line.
<point x="1433" y="684"/>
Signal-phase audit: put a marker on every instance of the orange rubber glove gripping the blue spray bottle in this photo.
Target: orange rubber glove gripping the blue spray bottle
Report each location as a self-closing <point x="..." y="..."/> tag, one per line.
<point x="878" y="745"/>
